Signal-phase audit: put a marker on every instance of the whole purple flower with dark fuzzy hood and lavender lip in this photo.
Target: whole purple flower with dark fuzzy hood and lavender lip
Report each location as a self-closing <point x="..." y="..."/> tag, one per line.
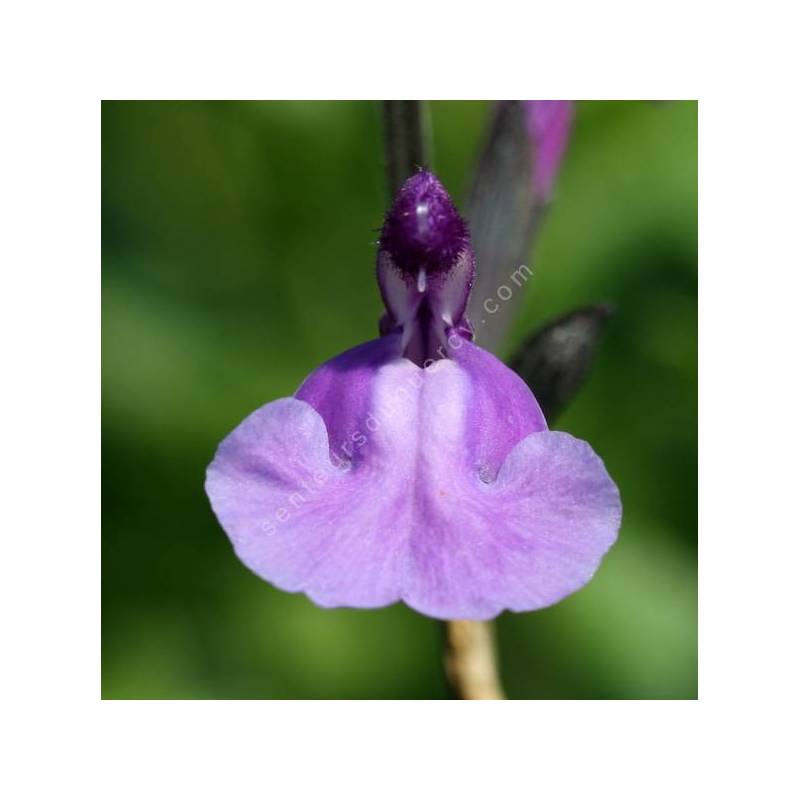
<point x="416" y="466"/>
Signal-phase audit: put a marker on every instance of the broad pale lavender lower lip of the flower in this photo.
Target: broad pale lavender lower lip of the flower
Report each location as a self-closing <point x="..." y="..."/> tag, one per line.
<point x="413" y="518"/>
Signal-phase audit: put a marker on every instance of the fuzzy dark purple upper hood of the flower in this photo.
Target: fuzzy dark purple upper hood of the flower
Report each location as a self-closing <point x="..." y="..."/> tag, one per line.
<point x="425" y="268"/>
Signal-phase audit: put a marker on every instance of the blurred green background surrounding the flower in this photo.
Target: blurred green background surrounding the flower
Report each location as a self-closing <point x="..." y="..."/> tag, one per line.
<point x="238" y="250"/>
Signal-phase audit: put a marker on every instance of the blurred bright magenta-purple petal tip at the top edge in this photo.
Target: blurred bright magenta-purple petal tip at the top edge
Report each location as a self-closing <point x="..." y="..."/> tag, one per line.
<point x="549" y="123"/>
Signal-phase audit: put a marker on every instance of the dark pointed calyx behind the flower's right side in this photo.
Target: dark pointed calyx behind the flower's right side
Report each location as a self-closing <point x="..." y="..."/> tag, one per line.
<point x="556" y="360"/>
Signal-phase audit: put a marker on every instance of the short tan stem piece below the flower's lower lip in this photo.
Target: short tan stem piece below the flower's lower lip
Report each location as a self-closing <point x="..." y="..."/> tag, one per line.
<point x="471" y="661"/>
